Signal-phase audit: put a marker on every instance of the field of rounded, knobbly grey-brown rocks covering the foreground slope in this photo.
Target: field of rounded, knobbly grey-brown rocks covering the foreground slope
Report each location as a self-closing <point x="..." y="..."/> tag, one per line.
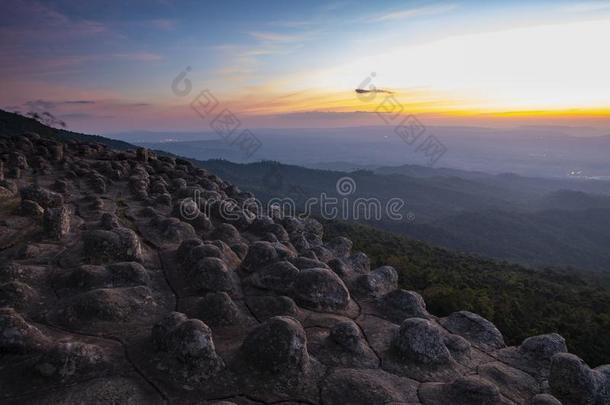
<point x="132" y="277"/>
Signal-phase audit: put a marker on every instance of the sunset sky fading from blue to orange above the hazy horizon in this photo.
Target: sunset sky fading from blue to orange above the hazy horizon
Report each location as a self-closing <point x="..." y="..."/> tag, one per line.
<point x="104" y="67"/>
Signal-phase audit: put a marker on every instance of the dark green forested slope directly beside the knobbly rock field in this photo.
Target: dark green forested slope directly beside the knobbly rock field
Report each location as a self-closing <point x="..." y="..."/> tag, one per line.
<point x="521" y="302"/>
